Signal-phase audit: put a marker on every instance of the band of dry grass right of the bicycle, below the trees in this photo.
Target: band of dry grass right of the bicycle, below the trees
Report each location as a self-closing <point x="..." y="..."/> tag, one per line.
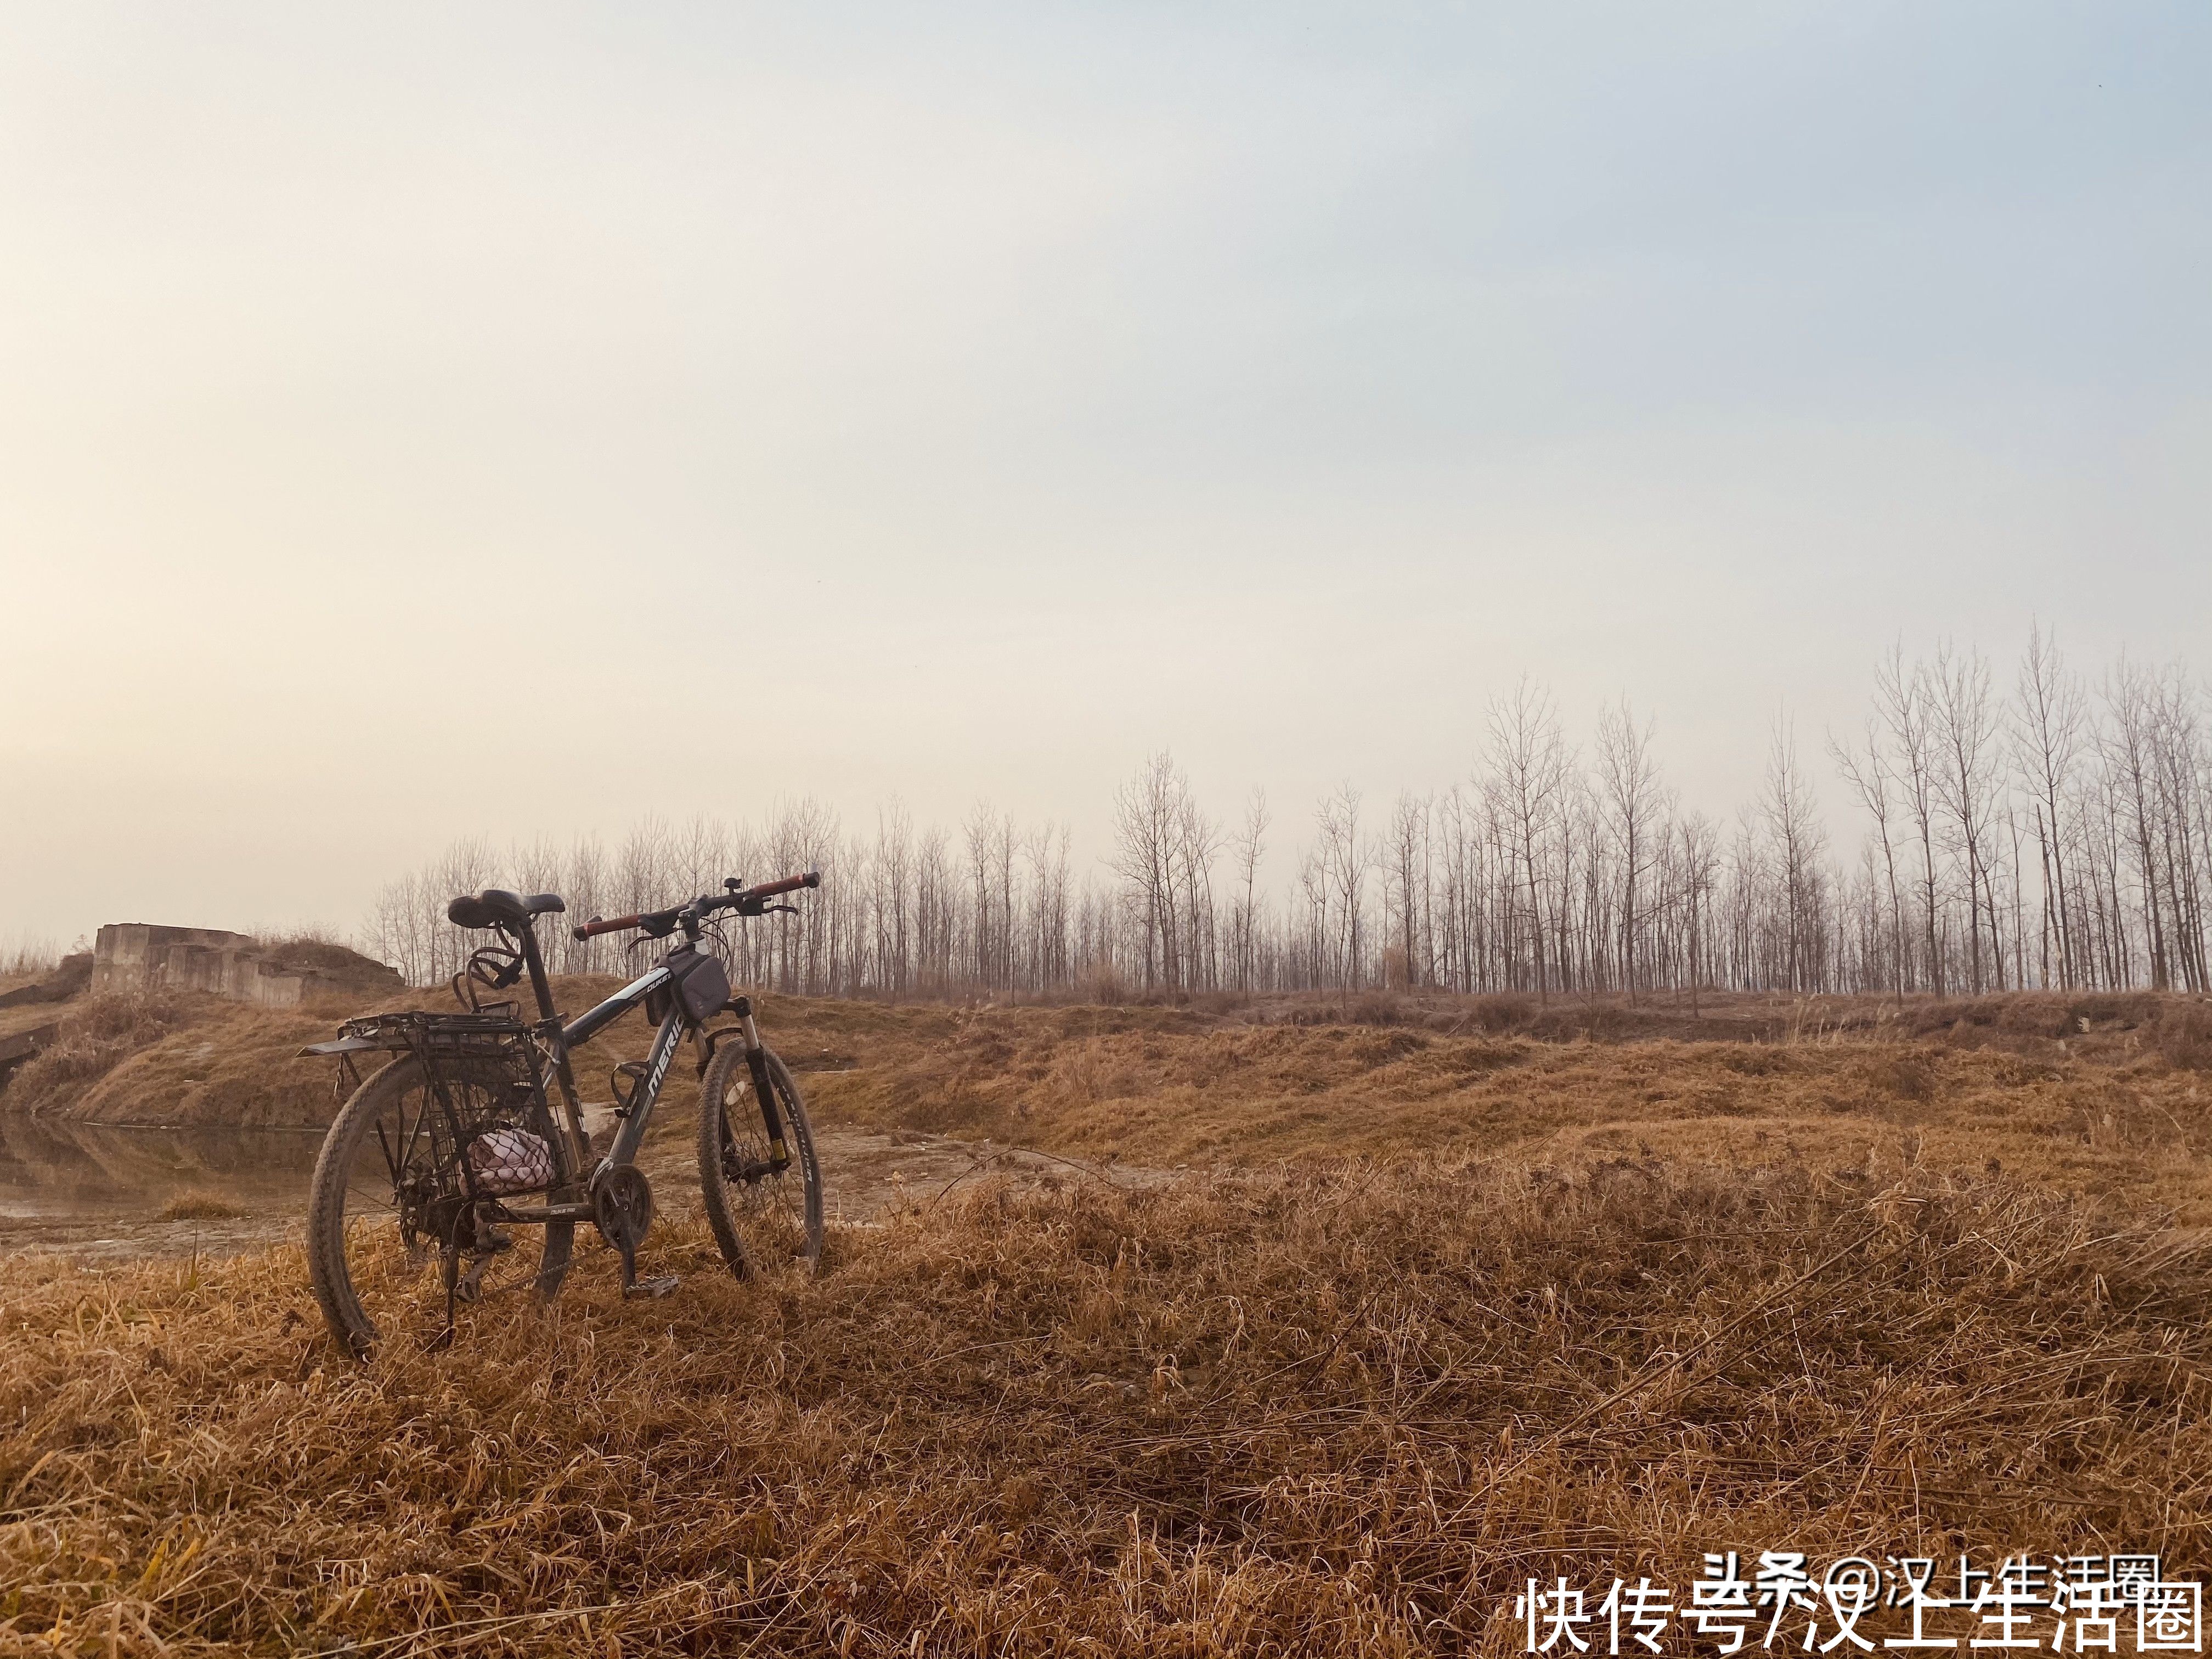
<point x="2096" y="1114"/>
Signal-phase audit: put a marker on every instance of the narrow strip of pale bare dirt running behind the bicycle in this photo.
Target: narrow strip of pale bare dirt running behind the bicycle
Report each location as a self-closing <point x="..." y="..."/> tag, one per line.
<point x="862" y="1176"/>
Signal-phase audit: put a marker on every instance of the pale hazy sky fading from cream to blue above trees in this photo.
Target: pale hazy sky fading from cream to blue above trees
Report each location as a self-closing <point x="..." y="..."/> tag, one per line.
<point x="517" y="419"/>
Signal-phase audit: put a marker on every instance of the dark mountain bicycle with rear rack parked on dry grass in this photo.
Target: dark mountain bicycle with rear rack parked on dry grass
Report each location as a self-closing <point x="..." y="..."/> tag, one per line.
<point x="457" y="1138"/>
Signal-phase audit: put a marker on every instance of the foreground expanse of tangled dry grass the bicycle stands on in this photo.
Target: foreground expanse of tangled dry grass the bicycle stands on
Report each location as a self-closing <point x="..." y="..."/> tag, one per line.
<point x="1291" y="1412"/>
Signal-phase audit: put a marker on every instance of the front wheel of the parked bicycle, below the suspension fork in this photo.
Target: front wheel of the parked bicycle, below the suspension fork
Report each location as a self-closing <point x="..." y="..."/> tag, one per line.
<point x="764" y="1191"/>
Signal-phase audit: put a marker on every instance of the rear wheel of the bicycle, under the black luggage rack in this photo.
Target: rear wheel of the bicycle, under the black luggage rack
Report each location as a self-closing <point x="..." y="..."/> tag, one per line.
<point x="390" y="1220"/>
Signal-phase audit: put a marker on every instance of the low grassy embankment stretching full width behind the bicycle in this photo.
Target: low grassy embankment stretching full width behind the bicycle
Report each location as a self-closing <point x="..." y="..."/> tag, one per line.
<point x="2085" y="1096"/>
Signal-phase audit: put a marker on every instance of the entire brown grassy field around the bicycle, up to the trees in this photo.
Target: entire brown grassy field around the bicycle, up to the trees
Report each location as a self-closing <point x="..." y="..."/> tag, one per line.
<point x="1450" y="1295"/>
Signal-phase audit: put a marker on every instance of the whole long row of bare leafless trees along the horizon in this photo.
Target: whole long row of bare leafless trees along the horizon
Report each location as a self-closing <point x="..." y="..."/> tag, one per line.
<point x="2038" y="835"/>
